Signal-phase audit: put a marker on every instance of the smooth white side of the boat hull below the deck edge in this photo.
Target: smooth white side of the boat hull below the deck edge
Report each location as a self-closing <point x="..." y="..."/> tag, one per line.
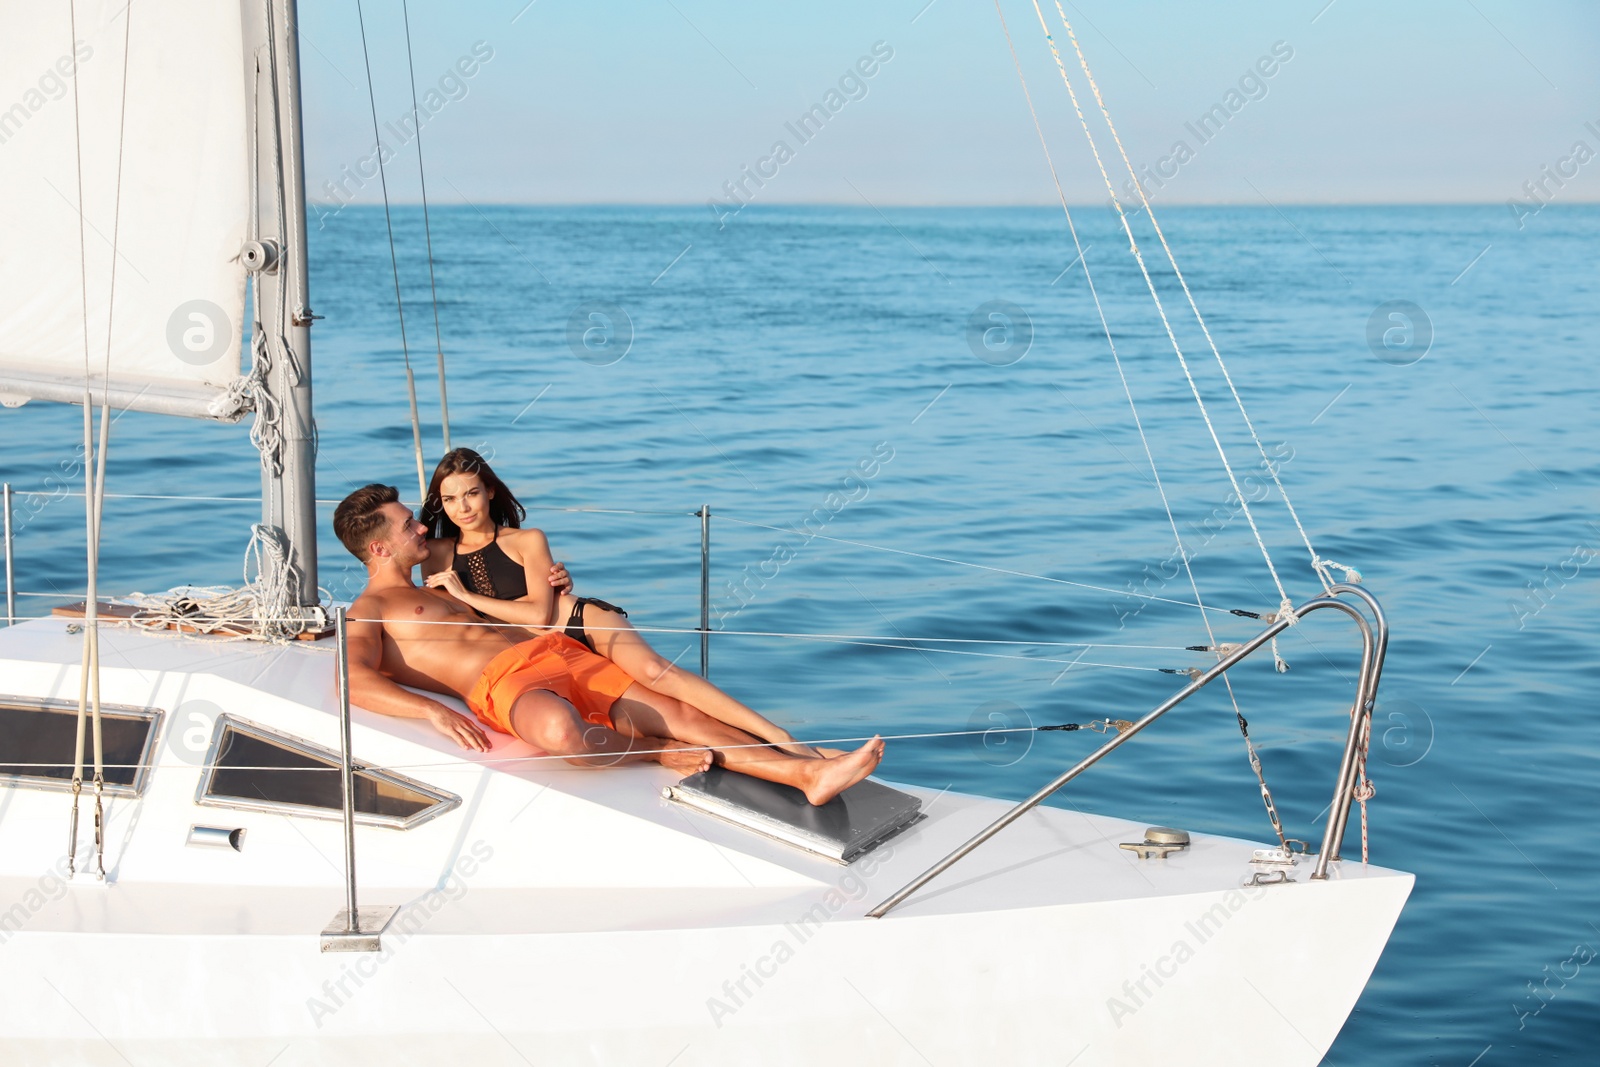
<point x="1198" y="980"/>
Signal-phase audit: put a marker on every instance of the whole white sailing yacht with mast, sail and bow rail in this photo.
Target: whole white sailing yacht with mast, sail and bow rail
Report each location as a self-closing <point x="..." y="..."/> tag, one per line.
<point x="183" y="817"/>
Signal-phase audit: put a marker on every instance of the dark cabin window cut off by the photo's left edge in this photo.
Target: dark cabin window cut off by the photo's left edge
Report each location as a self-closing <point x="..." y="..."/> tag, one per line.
<point x="38" y="737"/>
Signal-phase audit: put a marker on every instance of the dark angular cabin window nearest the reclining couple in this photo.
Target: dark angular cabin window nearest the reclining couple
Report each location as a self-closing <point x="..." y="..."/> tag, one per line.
<point x="255" y="769"/>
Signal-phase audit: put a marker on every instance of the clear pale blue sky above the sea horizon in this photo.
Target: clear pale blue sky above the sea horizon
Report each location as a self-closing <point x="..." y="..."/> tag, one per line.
<point x="665" y="102"/>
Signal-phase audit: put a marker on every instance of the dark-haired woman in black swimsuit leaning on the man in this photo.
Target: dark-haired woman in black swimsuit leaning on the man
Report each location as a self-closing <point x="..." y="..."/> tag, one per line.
<point x="481" y="556"/>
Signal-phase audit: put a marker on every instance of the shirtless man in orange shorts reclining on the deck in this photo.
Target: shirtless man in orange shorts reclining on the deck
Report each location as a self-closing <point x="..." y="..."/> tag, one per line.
<point x="551" y="692"/>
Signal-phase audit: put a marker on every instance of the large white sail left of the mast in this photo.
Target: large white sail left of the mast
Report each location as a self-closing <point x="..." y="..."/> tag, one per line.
<point x="182" y="145"/>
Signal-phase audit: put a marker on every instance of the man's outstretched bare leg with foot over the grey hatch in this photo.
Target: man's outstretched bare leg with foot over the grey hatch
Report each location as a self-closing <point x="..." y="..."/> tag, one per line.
<point x="654" y="714"/>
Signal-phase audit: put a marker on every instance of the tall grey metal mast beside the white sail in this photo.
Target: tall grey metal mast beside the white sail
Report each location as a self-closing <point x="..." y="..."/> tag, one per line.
<point x="276" y="258"/>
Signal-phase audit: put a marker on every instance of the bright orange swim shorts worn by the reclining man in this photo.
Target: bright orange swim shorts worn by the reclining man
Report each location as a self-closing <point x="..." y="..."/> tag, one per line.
<point x="554" y="663"/>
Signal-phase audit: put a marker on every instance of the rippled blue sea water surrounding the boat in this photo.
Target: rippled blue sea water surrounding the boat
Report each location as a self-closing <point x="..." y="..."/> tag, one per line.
<point x="908" y="426"/>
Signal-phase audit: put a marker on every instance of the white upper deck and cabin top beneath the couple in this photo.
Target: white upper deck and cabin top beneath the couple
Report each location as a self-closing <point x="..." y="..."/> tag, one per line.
<point x="537" y="845"/>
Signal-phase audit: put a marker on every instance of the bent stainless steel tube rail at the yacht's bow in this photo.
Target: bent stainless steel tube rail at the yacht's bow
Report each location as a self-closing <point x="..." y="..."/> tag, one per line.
<point x="1374" y="649"/>
